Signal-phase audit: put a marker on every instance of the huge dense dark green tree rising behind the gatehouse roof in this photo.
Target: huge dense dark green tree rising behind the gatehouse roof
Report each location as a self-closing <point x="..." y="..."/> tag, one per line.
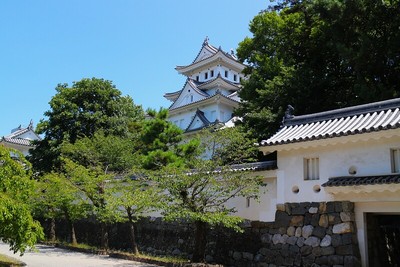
<point x="318" y="55"/>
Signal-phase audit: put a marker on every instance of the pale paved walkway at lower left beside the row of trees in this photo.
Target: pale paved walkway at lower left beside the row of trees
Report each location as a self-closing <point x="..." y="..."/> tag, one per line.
<point x="47" y="256"/>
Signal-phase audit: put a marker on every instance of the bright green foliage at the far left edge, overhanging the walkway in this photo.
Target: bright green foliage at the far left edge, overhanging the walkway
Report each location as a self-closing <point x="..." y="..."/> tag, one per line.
<point x="18" y="228"/>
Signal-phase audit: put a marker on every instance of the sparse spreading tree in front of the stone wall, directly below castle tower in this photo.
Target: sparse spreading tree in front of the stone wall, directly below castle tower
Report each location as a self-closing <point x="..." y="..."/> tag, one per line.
<point x="200" y="190"/>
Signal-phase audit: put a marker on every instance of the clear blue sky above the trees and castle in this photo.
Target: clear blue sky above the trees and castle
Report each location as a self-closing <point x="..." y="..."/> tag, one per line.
<point x="135" y="44"/>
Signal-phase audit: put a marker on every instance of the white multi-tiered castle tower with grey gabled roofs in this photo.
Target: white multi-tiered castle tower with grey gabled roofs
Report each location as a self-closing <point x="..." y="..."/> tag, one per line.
<point x="210" y="92"/>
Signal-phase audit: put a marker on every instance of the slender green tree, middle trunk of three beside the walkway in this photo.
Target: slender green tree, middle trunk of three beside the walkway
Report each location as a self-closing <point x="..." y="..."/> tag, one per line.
<point x="92" y="165"/>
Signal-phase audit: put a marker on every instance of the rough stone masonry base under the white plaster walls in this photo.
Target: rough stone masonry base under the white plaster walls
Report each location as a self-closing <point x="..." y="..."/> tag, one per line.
<point x="303" y="234"/>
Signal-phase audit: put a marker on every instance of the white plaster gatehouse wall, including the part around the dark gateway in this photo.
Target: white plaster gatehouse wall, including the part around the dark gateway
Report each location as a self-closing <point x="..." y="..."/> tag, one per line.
<point x="367" y="157"/>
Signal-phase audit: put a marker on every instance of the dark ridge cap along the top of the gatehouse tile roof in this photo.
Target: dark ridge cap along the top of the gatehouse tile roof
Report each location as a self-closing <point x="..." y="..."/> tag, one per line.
<point x="347" y="111"/>
